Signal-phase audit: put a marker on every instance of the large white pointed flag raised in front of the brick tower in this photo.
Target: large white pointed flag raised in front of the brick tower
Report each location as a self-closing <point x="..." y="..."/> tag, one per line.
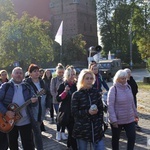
<point x="58" y="37"/>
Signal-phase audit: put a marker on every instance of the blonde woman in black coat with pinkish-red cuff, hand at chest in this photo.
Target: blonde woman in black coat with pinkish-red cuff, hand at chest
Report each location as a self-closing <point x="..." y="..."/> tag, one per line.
<point x="65" y="91"/>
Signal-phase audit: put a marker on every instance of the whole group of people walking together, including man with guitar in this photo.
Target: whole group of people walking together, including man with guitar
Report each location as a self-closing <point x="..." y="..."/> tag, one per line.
<point x="75" y="99"/>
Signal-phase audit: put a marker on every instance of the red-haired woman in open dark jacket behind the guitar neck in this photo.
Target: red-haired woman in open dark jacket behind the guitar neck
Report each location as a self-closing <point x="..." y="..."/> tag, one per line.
<point x="37" y="84"/>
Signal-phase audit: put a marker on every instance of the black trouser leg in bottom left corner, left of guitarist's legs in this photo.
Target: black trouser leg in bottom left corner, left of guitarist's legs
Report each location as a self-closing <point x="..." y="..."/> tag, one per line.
<point x="3" y="141"/>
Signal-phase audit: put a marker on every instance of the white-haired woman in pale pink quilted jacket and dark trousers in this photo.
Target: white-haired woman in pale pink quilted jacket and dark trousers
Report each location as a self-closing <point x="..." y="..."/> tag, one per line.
<point x="122" y="111"/>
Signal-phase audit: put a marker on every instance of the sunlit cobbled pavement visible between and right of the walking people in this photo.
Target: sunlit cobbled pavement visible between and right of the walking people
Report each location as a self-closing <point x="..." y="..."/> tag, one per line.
<point x="141" y="137"/>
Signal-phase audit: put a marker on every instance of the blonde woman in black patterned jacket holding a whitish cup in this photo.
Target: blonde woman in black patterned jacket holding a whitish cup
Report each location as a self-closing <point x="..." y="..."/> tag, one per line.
<point x="87" y="109"/>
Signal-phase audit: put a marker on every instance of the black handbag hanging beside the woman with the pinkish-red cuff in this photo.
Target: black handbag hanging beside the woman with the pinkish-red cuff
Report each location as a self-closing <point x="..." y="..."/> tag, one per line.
<point x="63" y="118"/>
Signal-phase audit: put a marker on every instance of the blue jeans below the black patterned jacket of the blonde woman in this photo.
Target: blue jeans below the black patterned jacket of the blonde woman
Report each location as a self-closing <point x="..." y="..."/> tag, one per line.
<point x="82" y="145"/>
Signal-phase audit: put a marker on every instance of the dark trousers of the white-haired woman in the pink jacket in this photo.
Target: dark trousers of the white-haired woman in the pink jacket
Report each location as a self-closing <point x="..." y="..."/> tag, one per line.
<point x="130" y="132"/>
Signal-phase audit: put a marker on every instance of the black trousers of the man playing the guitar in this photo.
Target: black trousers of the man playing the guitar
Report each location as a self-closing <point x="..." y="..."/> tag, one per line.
<point x="26" y="137"/>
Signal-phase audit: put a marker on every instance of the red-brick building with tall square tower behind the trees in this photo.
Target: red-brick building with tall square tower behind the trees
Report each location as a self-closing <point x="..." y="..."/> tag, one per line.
<point x="79" y="16"/>
